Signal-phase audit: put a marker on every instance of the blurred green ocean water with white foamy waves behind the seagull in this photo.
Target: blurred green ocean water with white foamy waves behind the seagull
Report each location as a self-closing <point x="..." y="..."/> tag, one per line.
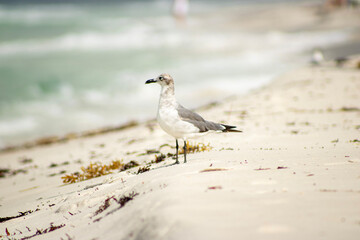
<point x="69" y="67"/>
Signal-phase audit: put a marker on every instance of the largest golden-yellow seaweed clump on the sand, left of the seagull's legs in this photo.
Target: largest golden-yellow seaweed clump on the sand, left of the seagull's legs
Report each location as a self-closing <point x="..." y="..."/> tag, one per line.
<point x="97" y="169"/>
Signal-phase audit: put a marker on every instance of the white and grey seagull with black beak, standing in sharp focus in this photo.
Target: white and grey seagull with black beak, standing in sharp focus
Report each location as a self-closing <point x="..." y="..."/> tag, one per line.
<point x="179" y="122"/>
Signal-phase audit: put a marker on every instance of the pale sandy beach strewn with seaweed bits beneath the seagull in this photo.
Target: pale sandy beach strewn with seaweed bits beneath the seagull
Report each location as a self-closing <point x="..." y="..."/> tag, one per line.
<point x="292" y="174"/>
